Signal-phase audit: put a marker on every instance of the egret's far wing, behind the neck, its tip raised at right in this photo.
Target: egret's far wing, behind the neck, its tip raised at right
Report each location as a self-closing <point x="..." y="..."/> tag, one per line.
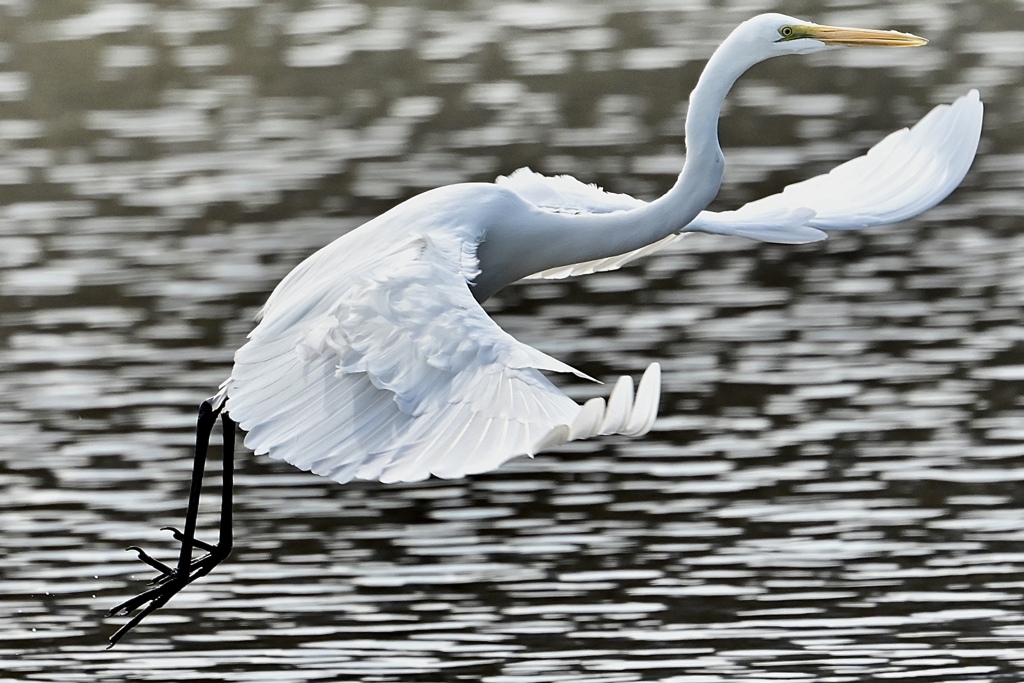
<point x="907" y="174"/>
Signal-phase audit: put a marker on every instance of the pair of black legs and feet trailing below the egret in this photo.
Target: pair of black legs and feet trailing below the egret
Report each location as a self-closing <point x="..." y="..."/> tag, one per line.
<point x="172" y="581"/>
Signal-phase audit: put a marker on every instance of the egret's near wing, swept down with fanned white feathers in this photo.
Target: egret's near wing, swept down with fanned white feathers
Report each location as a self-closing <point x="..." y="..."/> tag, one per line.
<point x="375" y="362"/>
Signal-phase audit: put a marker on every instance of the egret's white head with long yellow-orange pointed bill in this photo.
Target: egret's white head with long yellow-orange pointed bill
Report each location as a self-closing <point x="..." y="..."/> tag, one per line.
<point x="772" y="35"/>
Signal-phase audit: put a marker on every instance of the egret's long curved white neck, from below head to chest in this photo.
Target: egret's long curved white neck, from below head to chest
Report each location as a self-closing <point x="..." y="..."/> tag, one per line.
<point x="544" y="240"/>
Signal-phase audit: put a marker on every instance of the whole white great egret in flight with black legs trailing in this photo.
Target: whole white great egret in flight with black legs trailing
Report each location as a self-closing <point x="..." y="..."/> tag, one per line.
<point x="373" y="359"/>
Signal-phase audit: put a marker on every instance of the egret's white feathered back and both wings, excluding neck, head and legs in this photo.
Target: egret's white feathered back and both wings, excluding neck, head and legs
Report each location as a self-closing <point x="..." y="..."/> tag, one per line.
<point x="373" y="360"/>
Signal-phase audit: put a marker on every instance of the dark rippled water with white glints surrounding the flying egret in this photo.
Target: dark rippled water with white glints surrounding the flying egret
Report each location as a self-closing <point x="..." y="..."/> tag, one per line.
<point x="833" y="493"/>
